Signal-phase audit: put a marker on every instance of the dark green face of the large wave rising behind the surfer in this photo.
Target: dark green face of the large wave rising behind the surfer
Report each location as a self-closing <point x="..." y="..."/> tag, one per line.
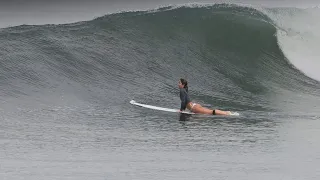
<point x="229" y="54"/>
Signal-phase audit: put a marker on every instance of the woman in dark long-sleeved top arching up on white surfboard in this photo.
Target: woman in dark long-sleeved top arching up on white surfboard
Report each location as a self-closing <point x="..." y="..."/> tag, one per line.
<point x="194" y="107"/>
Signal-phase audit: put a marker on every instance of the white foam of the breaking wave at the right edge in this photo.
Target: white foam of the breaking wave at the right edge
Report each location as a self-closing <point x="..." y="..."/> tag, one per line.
<point x="299" y="37"/>
